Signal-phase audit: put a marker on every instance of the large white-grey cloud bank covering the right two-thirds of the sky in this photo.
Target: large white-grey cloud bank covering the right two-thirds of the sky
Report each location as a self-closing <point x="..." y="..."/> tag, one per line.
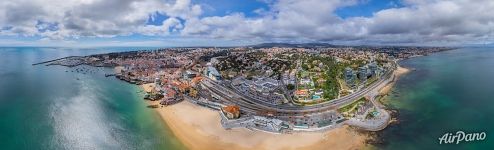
<point x="419" y="22"/>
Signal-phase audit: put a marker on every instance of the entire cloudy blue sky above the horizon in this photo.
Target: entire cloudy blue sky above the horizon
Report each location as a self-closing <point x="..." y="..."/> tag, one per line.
<point x="244" y="22"/>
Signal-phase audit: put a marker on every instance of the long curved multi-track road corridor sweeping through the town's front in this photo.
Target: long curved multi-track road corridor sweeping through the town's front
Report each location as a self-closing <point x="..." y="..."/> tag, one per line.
<point x="252" y="104"/>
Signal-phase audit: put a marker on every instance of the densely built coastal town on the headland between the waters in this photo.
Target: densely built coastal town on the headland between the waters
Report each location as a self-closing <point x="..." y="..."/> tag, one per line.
<point x="273" y="89"/>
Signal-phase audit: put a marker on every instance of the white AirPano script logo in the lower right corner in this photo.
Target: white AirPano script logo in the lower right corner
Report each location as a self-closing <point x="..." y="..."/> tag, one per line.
<point x="461" y="136"/>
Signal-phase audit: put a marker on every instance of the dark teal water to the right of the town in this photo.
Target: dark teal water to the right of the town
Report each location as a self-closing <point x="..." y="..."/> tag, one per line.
<point x="448" y="92"/>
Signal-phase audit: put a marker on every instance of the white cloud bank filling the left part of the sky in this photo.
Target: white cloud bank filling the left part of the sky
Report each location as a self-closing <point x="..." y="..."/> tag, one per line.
<point x="90" y="18"/>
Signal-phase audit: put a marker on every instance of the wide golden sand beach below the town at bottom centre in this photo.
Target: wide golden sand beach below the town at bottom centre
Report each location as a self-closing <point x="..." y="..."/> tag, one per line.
<point x="199" y="128"/>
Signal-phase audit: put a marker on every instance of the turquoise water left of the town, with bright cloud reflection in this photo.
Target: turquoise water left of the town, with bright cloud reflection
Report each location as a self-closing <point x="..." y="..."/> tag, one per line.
<point x="48" y="108"/>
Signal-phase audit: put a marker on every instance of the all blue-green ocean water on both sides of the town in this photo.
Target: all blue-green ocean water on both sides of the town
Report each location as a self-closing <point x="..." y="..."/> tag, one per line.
<point x="56" y="107"/>
